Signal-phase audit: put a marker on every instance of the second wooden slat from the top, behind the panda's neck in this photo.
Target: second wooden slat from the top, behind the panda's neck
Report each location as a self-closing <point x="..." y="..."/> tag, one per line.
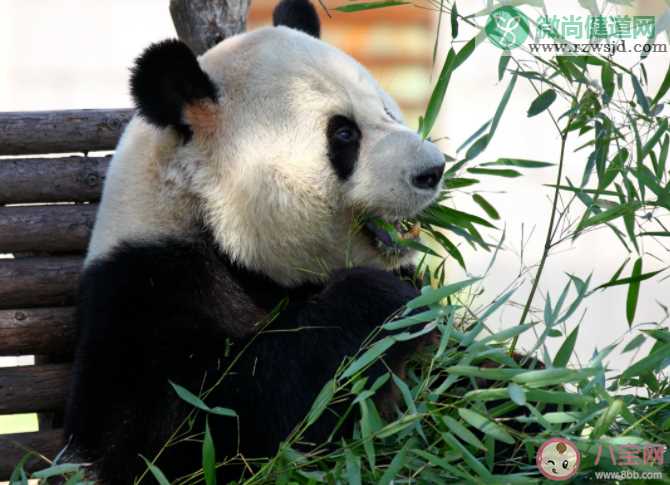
<point x="63" y="179"/>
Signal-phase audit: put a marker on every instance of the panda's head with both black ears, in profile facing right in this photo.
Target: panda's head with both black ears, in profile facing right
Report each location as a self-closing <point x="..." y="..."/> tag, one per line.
<point x="284" y="147"/>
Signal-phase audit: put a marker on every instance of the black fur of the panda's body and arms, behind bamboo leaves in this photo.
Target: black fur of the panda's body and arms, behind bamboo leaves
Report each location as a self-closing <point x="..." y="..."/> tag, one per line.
<point x="180" y="311"/>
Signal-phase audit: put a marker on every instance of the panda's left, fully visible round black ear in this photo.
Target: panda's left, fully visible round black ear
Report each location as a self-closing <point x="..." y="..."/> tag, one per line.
<point x="166" y="79"/>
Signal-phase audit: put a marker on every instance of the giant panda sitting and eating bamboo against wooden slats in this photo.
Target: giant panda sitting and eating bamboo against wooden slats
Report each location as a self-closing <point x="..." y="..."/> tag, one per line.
<point x="231" y="240"/>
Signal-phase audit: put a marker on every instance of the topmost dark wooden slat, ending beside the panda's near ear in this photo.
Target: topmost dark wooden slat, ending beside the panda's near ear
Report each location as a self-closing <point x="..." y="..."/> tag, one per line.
<point x="36" y="132"/>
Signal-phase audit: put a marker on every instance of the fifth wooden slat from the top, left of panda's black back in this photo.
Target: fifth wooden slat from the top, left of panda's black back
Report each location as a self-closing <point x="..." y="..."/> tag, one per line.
<point x="42" y="331"/>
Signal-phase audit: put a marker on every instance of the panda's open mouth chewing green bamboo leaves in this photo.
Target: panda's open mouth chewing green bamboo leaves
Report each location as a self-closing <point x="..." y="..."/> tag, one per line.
<point x="392" y="238"/>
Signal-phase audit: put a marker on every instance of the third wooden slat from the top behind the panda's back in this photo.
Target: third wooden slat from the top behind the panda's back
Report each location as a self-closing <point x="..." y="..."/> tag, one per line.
<point x="47" y="228"/>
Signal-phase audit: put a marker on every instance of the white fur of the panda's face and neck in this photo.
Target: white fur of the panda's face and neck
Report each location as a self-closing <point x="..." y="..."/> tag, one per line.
<point x="262" y="179"/>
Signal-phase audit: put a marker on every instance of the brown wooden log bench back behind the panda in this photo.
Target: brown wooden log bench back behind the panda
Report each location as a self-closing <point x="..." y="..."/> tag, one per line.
<point x="47" y="210"/>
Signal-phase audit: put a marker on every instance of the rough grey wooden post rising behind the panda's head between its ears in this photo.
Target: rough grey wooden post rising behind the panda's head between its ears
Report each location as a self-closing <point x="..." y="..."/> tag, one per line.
<point x="202" y="24"/>
